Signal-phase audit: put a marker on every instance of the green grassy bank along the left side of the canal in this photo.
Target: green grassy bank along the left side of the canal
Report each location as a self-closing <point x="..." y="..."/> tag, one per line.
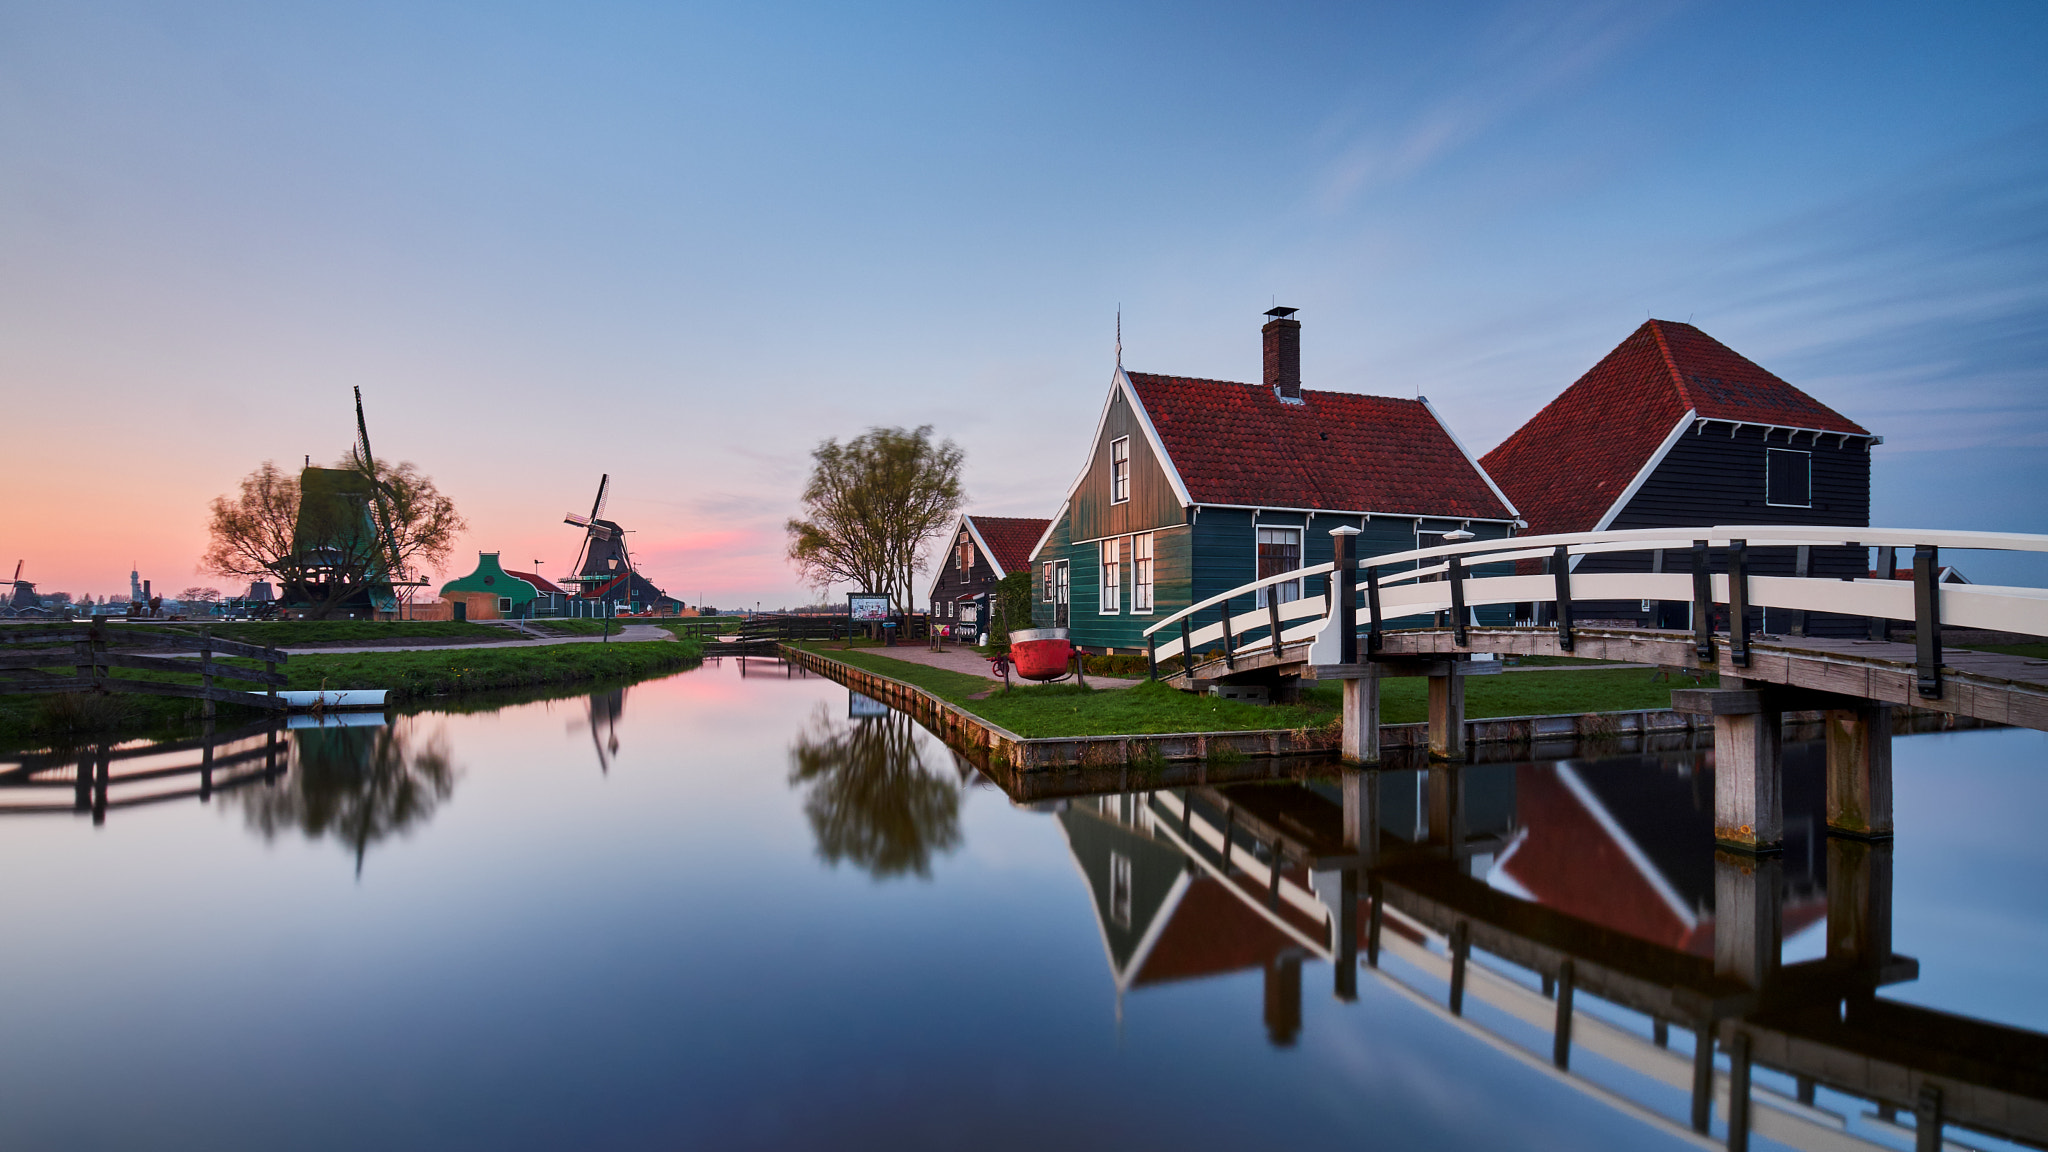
<point x="411" y="677"/>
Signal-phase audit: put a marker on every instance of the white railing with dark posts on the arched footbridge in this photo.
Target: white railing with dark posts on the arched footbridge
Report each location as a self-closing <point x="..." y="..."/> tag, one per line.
<point x="1371" y="591"/>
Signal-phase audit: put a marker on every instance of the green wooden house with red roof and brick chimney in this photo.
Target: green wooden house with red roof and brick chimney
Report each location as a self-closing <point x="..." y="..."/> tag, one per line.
<point x="1195" y="487"/>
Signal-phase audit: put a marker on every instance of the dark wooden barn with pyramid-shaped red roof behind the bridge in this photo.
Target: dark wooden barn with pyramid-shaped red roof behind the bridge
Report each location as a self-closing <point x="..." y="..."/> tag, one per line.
<point x="1676" y="429"/>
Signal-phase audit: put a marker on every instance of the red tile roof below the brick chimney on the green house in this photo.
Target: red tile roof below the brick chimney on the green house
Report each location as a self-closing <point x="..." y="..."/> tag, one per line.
<point x="1238" y="444"/>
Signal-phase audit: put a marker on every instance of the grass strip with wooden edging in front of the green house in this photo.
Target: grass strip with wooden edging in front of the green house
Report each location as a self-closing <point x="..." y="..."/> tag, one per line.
<point x="1072" y="710"/>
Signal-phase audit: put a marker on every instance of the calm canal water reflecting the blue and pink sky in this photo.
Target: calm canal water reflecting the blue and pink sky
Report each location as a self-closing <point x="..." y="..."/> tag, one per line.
<point x="744" y="909"/>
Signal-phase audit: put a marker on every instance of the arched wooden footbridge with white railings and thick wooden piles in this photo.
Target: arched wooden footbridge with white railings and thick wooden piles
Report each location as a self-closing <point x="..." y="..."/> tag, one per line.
<point x="1705" y="575"/>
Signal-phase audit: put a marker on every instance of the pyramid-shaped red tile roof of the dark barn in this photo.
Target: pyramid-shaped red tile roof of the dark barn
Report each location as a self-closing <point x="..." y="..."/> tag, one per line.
<point x="1578" y="456"/>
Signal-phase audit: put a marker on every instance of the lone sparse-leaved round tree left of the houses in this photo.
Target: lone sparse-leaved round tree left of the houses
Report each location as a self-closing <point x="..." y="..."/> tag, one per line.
<point x="871" y="507"/>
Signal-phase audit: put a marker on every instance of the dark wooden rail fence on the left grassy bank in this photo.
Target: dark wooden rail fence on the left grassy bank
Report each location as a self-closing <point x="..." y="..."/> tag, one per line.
<point x="91" y="665"/>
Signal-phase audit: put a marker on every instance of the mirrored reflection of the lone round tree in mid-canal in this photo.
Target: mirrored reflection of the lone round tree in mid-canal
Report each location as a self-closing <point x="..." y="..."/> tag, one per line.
<point x="873" y="800"/>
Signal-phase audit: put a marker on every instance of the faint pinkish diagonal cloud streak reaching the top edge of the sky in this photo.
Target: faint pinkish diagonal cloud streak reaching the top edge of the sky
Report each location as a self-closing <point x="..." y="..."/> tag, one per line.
<point x="1527" y="54"/>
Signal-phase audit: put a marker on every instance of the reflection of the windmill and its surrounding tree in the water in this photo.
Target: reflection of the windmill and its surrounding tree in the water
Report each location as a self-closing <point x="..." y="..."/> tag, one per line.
<point x="355" y="784"/>
